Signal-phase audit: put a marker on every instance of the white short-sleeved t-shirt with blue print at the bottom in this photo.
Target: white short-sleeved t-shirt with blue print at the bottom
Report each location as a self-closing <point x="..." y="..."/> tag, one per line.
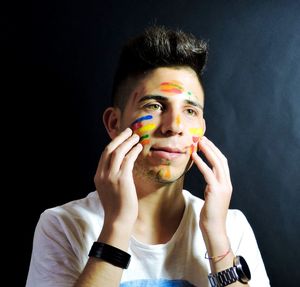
<point x="65" y="234"/>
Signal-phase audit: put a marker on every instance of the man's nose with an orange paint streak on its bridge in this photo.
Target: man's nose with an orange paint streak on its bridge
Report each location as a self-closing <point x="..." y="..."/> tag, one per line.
<point x="171" y="124"/>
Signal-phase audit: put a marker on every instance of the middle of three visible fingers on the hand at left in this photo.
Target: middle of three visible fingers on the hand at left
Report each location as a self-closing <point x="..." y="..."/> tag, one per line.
<point x="120" y="152"/>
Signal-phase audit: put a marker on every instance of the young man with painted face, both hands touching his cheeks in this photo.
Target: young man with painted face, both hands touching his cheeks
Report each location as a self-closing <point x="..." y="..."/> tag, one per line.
<point x="140" y="228"/>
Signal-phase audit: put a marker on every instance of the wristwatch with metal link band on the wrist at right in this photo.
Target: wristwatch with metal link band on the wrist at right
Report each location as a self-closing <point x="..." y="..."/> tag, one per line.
<point x="239" y="272"/>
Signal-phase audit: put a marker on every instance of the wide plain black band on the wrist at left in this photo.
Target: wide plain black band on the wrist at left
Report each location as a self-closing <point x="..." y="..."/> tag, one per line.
<point x="110" y="254"/>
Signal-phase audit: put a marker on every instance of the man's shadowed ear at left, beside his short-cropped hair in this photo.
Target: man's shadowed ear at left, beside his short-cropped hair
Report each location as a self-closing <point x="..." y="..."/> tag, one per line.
<point x="112" y="119"/>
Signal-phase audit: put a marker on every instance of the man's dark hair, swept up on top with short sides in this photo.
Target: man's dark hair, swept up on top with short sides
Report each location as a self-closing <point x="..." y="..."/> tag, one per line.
<point x="156" y="47"/>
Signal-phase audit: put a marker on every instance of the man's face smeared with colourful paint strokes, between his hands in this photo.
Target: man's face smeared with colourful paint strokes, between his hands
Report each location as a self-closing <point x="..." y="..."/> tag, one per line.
<point x="166" y="111"/>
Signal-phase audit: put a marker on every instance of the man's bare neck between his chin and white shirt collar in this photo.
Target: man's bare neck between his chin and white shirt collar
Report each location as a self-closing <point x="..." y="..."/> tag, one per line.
<point x="161" y="207"/>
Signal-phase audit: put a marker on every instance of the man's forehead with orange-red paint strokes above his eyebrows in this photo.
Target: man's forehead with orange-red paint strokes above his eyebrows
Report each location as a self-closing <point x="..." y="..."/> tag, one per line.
<point x="169" y="81"/>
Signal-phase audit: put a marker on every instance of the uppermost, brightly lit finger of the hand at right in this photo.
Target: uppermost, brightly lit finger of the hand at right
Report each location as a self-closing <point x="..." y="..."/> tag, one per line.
<point x="213" y="159"/>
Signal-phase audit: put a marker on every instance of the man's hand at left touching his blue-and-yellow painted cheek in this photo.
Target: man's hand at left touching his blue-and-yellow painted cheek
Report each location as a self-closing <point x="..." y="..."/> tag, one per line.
<point x="114" y="179"/>
